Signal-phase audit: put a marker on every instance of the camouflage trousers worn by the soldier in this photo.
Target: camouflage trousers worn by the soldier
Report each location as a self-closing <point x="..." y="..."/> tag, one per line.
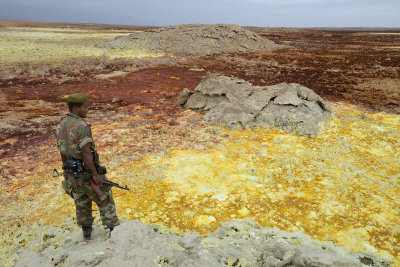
<point x="83" y="196"/>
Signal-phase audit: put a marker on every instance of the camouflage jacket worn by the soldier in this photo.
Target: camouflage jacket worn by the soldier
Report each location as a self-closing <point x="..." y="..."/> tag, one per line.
<point x="72" y="134"/>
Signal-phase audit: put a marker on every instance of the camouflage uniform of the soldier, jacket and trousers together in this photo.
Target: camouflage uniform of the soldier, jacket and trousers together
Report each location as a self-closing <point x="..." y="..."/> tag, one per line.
<point x="72" y="134"/>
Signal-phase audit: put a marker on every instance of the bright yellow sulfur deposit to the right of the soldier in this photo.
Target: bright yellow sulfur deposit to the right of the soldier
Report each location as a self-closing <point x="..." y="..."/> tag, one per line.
<point x="342" y="186"/>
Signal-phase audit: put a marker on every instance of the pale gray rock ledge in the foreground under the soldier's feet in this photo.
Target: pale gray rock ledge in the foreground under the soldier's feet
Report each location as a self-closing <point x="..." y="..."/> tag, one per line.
<point x="234" y="243"/>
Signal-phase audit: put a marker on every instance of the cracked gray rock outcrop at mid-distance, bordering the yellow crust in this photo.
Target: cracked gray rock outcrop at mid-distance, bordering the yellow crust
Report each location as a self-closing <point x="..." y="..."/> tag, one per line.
<point x="291" y="107"/>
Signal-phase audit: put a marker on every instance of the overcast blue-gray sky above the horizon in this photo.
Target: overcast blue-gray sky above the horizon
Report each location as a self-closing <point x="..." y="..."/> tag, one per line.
<point x="274" y="13"/>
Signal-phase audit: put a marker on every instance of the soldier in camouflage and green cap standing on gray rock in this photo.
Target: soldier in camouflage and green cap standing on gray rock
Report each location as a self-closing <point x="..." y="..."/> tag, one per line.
<point x="74" y="140"/>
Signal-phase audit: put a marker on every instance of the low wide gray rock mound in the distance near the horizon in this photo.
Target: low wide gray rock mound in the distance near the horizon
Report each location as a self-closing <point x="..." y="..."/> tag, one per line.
<point x="194" y="39"/>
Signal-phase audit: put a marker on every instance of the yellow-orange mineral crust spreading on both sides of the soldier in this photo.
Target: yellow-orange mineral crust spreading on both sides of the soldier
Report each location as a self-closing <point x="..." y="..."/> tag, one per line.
<point x="342" y="186"/>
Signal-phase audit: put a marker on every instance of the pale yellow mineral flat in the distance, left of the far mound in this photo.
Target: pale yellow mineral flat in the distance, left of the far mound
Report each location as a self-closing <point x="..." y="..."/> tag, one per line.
<point x="57" y="45"/>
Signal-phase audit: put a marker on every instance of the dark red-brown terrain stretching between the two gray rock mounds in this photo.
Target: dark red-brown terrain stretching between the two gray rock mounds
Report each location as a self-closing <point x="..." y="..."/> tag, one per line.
<point x="362" y="68"/>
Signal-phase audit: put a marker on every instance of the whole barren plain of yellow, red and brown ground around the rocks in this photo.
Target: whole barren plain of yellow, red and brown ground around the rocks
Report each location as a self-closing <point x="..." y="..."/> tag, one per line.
<point x="189" y="175"/>
